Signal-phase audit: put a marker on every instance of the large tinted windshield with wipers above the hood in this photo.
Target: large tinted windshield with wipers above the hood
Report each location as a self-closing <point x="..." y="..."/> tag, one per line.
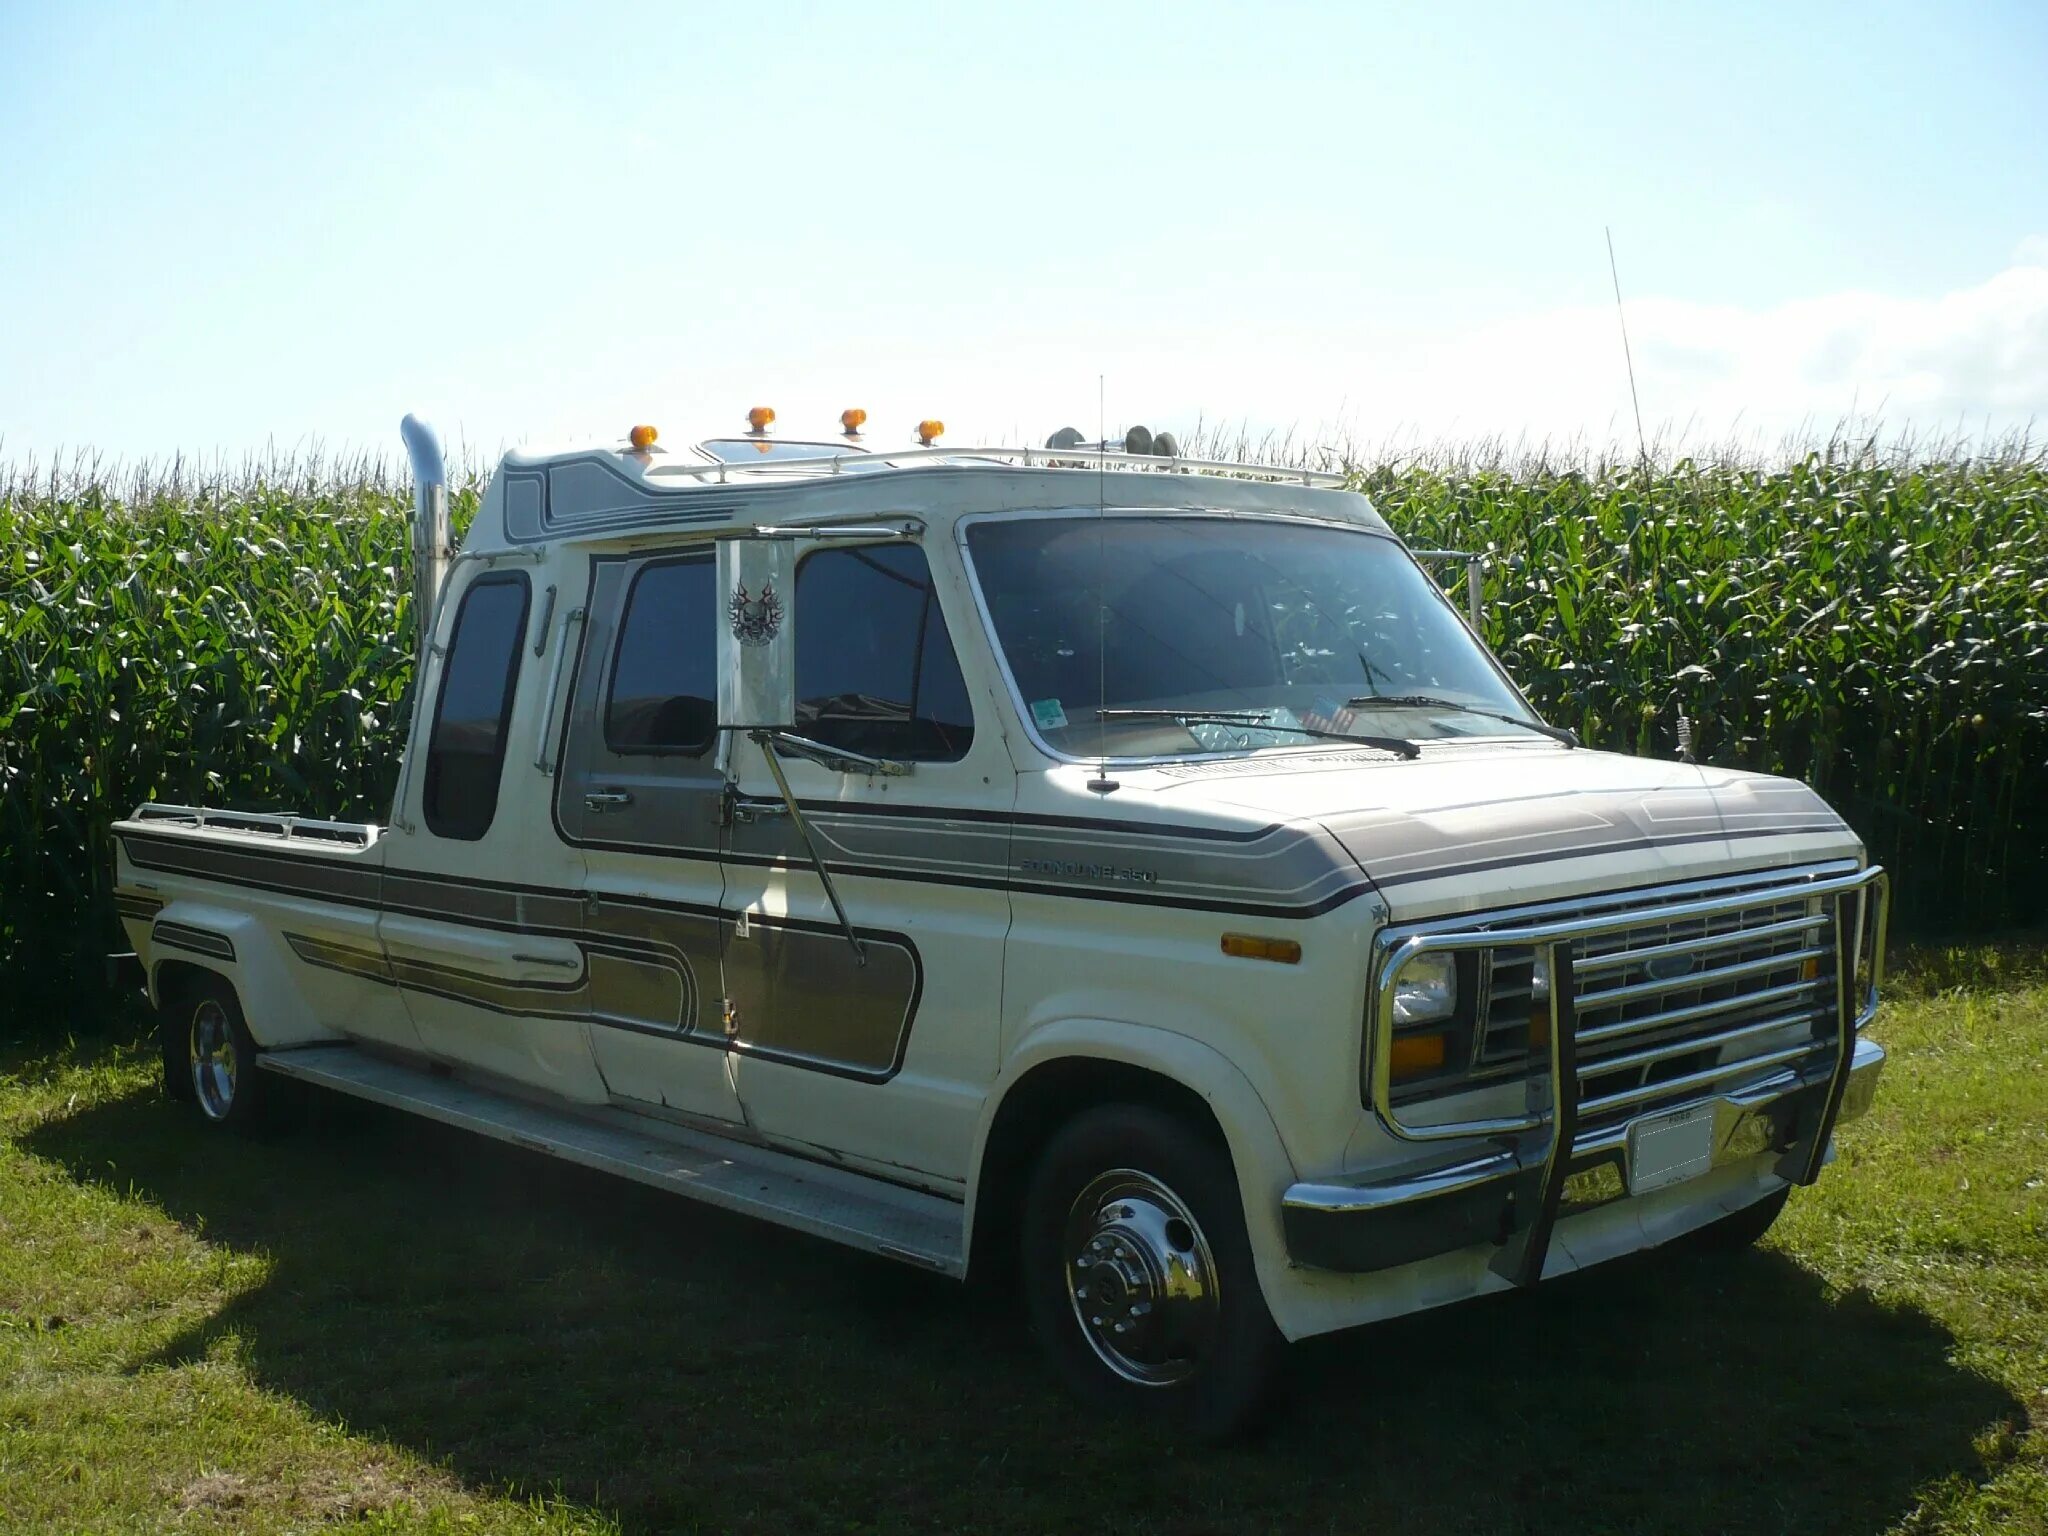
<point x="1273" y="630"/>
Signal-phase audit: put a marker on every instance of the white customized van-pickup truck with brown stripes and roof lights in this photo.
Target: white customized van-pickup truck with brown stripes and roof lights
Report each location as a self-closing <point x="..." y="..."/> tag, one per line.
<point x="1099" y="867"/>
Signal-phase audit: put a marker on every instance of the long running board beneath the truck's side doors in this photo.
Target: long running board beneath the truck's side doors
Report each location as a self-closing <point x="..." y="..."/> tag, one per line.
<point x="830" y="1203"/>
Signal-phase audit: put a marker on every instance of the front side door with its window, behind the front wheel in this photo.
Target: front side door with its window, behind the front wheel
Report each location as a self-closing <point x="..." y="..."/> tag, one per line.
<point x="886" y="1056"/>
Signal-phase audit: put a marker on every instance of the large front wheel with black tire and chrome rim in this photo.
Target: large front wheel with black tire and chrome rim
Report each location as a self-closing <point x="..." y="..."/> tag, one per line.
<point x="1140" y="1277"/>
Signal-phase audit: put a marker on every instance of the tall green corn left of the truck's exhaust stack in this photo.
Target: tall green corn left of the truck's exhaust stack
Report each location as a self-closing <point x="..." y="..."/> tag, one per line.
<point x="239" y="646"/>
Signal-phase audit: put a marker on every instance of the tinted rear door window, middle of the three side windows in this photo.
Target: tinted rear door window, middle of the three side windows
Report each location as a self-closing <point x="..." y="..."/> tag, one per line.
<point x="665" y="693"/>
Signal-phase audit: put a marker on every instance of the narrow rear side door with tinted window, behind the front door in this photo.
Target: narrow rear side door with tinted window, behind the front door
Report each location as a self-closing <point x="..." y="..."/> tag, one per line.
<point x="640" y="794"/>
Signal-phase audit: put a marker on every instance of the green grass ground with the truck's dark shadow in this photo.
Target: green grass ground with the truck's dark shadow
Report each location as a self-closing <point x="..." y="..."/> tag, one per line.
<point x="388" y="1326"/>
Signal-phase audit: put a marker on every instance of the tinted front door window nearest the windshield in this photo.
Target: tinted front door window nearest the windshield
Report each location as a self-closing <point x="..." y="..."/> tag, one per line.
<point x="876" y="667"/>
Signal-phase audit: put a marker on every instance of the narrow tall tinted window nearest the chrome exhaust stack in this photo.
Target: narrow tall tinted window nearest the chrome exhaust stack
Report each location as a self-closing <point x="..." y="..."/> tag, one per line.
<point x="468" y="751"/>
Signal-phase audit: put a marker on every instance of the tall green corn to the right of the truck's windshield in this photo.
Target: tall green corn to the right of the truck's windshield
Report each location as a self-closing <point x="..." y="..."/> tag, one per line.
<point x="1879" y="630"/>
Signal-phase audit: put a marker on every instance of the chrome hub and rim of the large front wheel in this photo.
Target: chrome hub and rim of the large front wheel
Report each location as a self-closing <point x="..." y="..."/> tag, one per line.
<point x="1142" y="1279"/>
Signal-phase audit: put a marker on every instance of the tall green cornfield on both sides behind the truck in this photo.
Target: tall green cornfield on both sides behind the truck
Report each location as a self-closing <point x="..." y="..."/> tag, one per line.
<point x="1877" y="626"/>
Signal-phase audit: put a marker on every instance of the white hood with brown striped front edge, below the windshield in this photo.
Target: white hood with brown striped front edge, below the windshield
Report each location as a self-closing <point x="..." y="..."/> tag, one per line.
<point x="1500" y="824"/>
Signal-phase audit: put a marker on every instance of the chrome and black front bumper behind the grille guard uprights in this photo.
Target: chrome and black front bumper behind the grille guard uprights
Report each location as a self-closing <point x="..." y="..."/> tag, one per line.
<point x="1420" y="1213"/>
